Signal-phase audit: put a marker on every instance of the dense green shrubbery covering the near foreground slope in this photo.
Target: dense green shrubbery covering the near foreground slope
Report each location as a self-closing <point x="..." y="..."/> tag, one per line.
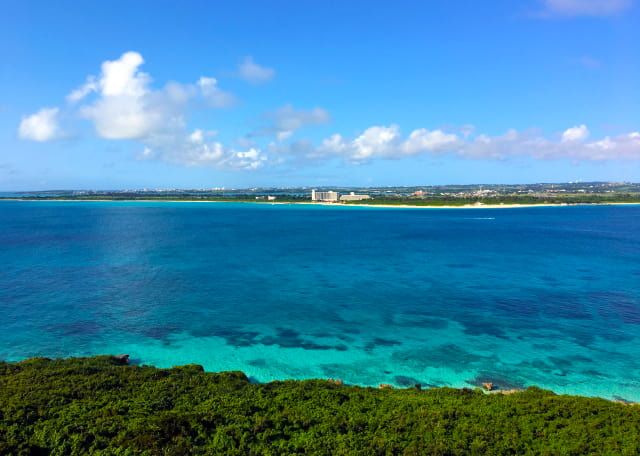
<point x="98" y="405"/>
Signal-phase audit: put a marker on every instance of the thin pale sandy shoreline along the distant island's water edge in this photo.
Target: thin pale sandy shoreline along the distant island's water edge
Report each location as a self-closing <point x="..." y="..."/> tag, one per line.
<point x="325" y="204"/>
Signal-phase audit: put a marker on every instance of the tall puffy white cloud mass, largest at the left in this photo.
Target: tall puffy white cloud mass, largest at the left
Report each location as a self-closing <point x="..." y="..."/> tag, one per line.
<point x="125" y="106"/>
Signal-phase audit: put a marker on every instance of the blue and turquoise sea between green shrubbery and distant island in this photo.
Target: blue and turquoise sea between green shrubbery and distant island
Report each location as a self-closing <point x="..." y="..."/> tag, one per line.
<point x="526" y="296"/>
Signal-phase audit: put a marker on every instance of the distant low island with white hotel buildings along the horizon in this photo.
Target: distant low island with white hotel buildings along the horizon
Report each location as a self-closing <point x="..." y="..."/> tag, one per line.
<point x="494" y="195"/>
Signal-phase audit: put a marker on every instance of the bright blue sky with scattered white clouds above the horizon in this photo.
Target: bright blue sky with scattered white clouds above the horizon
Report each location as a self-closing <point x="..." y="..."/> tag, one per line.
<point x="197" y="94"/>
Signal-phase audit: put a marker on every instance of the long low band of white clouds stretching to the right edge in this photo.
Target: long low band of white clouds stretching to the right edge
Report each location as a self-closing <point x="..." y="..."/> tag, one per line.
<point x="387" y="142"/>
